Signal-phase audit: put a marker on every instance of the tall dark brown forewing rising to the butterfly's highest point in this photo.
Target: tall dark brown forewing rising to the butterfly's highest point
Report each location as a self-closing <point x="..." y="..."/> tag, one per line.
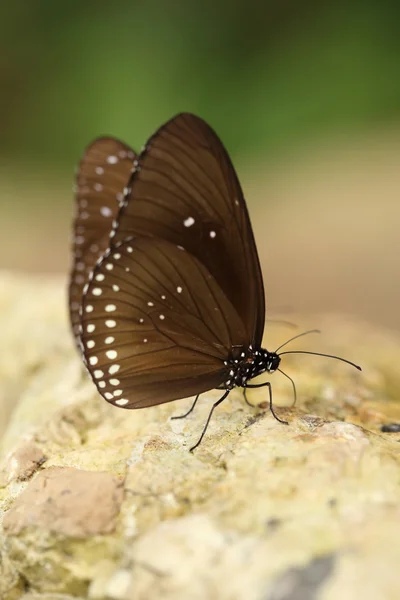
<point x="185" y="190"/>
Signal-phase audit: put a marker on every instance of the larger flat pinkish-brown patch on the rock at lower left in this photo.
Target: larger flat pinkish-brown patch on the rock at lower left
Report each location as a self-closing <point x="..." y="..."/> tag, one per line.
<point x="69" y="501"/>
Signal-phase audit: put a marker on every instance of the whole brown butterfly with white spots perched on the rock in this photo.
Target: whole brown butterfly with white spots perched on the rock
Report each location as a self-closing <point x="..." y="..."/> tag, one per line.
<point x="171" y="303"/>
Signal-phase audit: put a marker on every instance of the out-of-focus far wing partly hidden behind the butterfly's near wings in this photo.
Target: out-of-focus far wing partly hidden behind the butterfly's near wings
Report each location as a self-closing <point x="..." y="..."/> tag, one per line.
<point x="103" y="173"/>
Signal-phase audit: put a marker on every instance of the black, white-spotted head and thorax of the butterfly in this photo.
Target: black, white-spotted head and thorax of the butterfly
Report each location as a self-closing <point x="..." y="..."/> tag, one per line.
<point x="249" y="365"/>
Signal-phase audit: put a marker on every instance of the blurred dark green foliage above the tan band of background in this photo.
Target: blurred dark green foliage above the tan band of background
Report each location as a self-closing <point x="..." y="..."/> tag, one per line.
<point x="262" y="73"/>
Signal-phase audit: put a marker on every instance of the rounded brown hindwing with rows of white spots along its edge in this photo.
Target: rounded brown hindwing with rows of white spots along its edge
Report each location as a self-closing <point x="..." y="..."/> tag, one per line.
<point x="156" y="326"/>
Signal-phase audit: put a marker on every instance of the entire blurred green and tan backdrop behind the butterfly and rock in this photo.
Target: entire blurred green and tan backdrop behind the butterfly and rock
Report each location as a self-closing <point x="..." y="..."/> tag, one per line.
<point x="305" y="95"/>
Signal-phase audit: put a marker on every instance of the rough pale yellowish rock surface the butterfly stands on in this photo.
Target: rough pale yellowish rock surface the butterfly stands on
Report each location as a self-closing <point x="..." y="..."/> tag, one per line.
<point x="102" y="503"/>
